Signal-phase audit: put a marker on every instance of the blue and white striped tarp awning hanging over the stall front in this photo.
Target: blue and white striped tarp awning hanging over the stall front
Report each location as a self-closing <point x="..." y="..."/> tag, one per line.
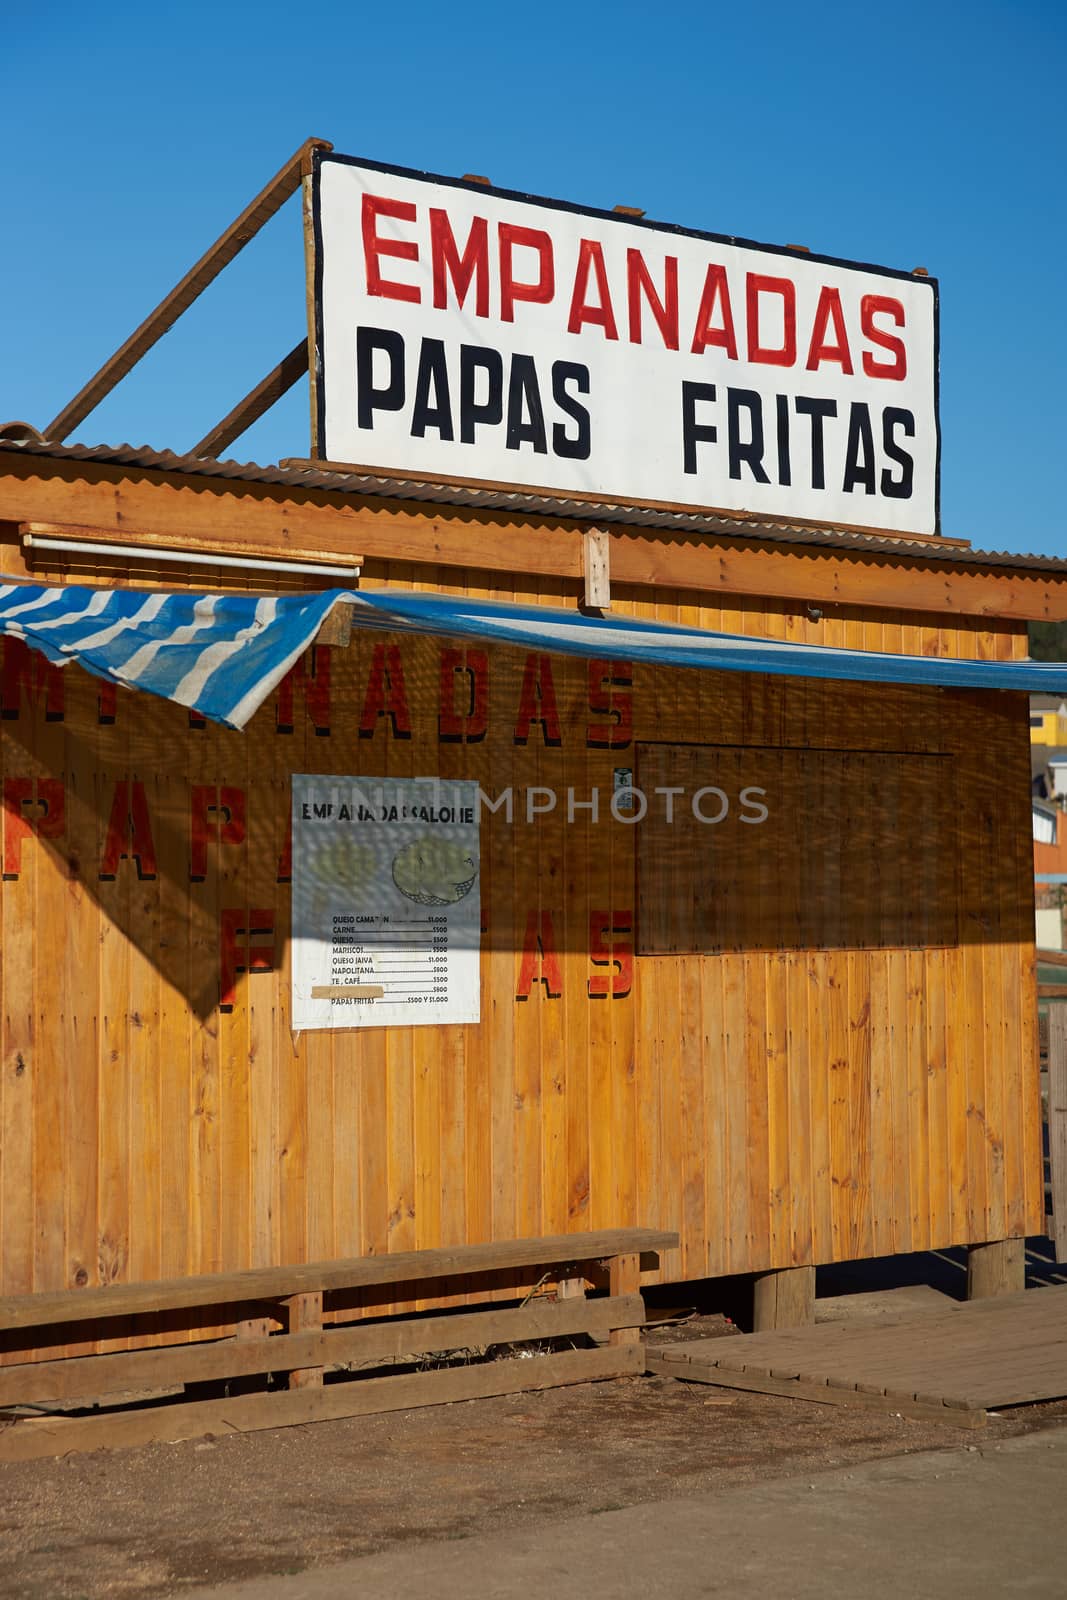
<point x="223" y="655"/>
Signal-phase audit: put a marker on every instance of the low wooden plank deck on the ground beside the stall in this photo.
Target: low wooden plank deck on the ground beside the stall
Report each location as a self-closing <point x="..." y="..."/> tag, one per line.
<point x="949" y="1366"/>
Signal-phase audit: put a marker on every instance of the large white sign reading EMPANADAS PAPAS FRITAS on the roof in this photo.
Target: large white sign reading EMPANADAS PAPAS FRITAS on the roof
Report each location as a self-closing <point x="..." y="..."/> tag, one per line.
<point x="471" y="334"/>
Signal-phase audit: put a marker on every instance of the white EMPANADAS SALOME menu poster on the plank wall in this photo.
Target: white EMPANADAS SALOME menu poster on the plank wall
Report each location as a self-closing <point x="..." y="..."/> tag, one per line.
<point x="386" y="905"/>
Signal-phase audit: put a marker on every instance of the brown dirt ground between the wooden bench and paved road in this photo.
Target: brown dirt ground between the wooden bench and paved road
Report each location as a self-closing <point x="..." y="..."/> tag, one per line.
<point x="169" y="1518"/>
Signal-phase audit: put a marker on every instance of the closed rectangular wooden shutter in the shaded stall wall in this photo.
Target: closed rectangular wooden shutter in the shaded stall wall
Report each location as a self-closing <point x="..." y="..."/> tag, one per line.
<point x="860" y="850"/>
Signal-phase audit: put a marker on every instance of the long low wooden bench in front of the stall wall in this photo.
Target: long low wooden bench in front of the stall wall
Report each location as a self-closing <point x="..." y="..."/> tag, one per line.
<point x="295" y="1300"/>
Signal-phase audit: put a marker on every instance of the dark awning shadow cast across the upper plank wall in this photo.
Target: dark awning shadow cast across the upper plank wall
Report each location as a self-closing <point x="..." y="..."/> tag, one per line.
<point x="126" y="812"/>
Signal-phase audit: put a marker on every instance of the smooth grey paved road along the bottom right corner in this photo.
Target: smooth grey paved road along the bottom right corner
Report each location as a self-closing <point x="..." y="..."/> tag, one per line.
<point x="951" y="1526"/>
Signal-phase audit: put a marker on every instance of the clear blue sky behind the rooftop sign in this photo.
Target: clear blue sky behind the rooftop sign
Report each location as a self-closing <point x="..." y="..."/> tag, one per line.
<point x="903" y="135"/>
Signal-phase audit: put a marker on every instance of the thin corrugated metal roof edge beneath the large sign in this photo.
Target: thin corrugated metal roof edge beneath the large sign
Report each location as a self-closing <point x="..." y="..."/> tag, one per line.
<point x="385" y="487"/>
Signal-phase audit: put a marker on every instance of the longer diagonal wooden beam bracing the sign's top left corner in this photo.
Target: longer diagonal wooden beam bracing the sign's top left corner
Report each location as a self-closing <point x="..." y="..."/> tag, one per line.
<point x="191" y="287"/>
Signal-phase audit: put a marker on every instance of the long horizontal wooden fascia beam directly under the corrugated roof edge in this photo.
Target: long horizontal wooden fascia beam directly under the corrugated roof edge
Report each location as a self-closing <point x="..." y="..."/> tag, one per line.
<point x="234" y="514"/>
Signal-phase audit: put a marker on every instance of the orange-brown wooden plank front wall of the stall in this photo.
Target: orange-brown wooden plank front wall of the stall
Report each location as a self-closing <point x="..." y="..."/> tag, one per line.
<point x="777" y="1106"/>
